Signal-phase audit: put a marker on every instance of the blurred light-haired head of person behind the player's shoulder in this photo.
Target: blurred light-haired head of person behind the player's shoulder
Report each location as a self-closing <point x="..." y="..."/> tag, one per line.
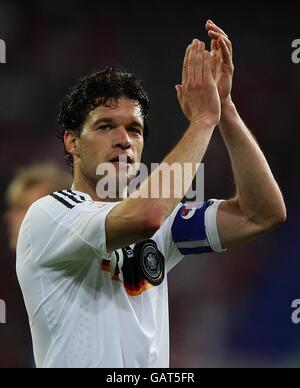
<point x="29" y="185"/>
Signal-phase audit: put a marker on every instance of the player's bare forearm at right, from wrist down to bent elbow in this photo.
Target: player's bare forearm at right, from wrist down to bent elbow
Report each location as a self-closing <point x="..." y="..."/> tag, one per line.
<point x="257" y="191"/>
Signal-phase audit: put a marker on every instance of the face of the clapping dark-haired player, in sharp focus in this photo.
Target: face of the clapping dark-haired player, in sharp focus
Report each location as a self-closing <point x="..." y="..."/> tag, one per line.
<point x="110" y="132"/>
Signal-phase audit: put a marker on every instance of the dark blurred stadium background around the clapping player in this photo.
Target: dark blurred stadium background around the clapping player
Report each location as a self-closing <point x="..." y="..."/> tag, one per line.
<point x="228" y="310"/>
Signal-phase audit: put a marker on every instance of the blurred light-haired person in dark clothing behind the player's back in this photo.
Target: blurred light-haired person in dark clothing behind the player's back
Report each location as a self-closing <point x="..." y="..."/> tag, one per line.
<point x="27" y="186"/>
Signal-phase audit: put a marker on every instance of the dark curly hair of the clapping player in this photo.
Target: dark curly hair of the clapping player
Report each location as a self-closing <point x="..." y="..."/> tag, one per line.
<point x="96" y="90"/>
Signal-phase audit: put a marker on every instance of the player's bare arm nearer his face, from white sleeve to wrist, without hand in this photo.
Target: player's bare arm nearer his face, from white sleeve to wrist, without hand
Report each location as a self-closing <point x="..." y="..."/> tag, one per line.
<point x="136" y="219"/>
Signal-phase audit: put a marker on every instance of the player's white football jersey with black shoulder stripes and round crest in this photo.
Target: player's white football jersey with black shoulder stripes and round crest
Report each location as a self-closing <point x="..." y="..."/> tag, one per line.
<point x="91" y="309"/>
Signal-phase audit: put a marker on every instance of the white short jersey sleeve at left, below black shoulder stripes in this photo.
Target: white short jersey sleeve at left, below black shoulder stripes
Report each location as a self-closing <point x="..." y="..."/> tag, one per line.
<point x="60" y="234"/>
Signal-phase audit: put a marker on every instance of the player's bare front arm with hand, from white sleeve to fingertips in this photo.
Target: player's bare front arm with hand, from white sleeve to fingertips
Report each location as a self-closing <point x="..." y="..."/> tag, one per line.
<point x="140" y="216"/>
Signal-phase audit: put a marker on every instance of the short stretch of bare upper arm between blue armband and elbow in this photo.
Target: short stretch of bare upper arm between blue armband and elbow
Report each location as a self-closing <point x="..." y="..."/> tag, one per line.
<point x="234" y="227"/>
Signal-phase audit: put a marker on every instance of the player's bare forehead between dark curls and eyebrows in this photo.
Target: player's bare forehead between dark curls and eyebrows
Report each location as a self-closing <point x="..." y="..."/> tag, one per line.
<point x="122" y="109"/>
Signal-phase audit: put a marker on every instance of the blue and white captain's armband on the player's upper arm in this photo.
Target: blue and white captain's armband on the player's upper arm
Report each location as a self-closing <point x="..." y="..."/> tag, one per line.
<point x="194" y="229"/>
